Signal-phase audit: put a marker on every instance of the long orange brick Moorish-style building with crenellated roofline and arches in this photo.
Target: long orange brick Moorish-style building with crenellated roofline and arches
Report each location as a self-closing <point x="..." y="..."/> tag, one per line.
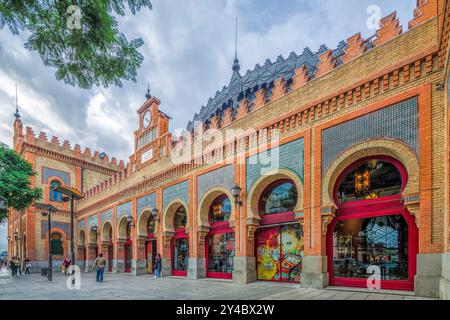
<point x="361" y="176"/>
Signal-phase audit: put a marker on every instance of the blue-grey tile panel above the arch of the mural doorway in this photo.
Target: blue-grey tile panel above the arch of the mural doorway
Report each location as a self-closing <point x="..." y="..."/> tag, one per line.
<point x="291" y="156"/>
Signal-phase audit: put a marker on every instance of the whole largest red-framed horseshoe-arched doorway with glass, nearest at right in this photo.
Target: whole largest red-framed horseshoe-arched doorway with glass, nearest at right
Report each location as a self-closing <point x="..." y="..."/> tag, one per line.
<point x="372" y="228"/>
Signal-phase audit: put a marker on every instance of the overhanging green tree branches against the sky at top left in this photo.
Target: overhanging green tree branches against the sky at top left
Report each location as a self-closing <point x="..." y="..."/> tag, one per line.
<point x="80" y="39"/>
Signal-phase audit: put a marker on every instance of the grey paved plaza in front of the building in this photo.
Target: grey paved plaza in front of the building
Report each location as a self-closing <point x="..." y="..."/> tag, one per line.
<point x="122" y="286"/>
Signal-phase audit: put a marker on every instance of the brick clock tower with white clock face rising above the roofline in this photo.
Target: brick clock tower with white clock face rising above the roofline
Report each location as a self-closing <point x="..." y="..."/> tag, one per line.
<point x="152" y="138"/>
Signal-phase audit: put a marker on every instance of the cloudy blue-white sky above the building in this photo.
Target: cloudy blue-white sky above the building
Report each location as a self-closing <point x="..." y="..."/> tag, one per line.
<point x="188" y="52"/>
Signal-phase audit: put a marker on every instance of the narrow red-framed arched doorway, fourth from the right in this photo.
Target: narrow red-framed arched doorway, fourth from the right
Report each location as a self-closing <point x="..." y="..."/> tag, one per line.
<point x="180" y="243"/>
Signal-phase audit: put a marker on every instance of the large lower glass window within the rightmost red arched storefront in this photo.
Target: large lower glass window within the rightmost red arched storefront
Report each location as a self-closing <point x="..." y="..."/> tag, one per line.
<point x="378" y="241"/>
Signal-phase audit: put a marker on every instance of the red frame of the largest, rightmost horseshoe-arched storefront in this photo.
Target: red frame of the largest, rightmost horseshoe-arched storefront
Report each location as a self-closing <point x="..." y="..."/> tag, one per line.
<point x="386" y="206"/>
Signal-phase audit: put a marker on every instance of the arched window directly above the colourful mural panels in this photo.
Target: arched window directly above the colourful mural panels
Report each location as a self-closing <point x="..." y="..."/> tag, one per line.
<point x="279" y="197"/>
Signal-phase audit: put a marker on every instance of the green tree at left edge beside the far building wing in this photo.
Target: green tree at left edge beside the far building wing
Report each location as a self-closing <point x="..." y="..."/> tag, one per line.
<point x="15" y="189"/>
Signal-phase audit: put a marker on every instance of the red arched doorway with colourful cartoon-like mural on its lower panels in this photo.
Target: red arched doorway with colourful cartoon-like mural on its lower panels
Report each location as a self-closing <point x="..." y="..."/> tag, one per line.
<point x="279" y="239"/>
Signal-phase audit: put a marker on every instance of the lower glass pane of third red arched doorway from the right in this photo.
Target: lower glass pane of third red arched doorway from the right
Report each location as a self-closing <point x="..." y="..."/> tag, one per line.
<point x="221" y="252"/>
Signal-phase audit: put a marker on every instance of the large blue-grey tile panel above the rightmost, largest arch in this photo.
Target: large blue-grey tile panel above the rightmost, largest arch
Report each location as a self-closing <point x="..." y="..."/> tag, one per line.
<point x="399" y="121"/>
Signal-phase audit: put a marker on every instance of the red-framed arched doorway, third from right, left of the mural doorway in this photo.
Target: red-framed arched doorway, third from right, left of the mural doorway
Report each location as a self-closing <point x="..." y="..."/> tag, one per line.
<point x="220" y="240"/>
